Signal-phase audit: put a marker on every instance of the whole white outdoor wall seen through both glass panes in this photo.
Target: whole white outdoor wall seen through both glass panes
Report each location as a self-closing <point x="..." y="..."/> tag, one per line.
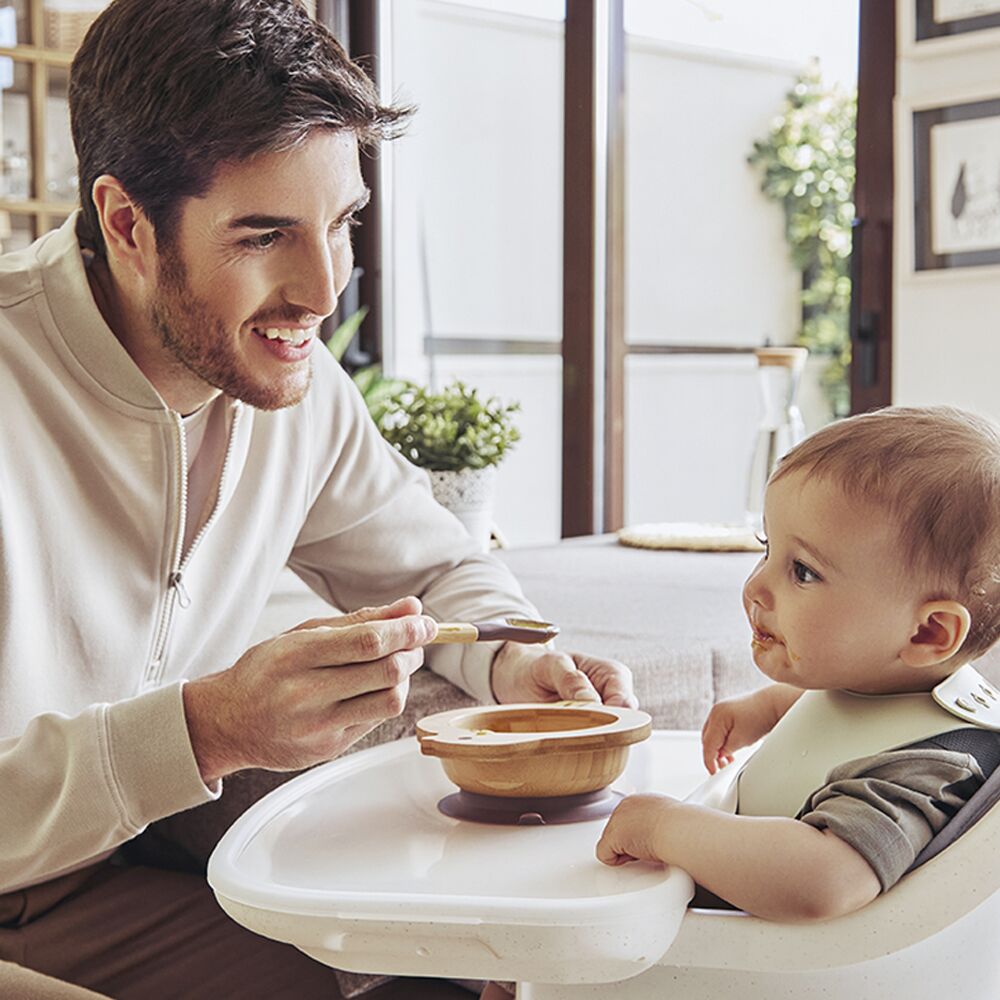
<point x="477" y="234"/>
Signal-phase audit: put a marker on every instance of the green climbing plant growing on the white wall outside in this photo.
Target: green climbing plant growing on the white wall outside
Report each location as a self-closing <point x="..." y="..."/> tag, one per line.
<point x="808" y="165"/>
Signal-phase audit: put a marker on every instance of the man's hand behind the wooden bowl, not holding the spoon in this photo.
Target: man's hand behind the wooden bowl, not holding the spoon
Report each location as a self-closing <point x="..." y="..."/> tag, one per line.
<point x="536" y="673"/>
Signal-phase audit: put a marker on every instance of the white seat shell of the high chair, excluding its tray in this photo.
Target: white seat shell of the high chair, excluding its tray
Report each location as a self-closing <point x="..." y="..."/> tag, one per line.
<point x="933" y="935"/>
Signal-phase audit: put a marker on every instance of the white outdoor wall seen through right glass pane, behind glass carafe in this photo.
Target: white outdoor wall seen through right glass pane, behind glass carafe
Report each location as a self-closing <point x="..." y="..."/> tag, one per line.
<point x="707" y="263"/>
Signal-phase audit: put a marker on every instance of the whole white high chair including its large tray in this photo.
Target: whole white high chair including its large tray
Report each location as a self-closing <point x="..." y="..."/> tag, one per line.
<point x="353" y="864"/>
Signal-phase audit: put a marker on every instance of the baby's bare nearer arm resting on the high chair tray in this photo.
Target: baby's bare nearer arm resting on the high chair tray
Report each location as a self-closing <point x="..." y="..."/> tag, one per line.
<point x="773" y="867"/>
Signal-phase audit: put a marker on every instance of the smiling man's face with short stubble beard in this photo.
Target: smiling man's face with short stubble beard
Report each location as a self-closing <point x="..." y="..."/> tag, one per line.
<point x="254" y="266"/>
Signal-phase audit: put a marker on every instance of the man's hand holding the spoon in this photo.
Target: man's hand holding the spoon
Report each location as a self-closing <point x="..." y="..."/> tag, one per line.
<point x="305" y="696"/>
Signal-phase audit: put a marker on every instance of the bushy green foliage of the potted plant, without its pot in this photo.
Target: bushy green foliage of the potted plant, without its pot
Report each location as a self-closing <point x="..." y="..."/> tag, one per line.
<point x="448" y="430"/>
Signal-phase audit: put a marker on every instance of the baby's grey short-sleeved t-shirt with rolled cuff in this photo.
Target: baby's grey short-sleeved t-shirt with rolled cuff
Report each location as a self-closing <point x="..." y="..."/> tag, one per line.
<point x="888" y="806"/>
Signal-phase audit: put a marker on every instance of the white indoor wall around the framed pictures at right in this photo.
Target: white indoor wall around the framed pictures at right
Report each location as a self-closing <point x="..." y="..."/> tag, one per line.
<point x="945" y="344"/>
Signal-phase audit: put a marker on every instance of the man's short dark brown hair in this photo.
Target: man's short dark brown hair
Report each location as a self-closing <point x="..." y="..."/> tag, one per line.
<point x="164" y="91"/>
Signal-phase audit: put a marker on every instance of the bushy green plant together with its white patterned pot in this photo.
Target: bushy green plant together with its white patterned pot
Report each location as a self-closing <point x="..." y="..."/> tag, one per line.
<point x="459" y="437"/>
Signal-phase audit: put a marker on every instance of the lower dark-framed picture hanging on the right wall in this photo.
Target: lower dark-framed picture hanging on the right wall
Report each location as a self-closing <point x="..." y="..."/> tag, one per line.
<point x="956" y="185"/>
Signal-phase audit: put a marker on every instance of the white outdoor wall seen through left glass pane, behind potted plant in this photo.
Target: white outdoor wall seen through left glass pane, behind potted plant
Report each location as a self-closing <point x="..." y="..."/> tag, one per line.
<point x="477" y="226"/>
